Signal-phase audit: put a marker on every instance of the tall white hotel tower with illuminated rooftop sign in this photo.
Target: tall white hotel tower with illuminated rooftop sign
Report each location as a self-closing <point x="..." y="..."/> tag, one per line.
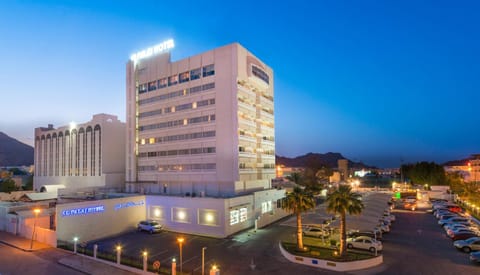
<point x="200" y="126"/>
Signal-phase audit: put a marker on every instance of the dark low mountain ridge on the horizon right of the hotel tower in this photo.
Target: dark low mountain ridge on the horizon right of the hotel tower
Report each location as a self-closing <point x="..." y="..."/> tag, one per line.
<point x="328" y="159"/>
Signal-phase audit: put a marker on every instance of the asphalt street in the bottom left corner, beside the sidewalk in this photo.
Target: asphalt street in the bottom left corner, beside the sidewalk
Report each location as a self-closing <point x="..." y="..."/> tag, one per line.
<point x="43" y="262"/>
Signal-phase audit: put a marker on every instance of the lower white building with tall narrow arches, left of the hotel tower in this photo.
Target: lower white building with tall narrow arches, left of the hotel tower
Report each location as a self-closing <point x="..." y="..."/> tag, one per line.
<point x="79" y="156"/>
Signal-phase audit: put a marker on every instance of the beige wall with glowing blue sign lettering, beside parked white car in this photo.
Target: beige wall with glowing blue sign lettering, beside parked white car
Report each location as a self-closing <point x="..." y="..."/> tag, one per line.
<point x="97" y="225"/>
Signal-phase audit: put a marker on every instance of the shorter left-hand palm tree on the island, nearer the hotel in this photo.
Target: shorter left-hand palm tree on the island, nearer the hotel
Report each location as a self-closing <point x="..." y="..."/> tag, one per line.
<point x="297" y="202"/>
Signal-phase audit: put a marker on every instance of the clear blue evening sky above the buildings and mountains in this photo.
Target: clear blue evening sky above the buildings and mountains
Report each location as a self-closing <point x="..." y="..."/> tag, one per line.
<point x="378" y="81"/>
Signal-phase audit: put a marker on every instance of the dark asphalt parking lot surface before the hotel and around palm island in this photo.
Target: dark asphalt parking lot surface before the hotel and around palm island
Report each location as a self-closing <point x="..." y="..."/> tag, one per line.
<point x="416" y="245"/>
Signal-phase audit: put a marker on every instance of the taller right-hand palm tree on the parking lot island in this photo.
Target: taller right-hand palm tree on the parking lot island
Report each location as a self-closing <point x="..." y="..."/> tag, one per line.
<point x="343" y="201"/>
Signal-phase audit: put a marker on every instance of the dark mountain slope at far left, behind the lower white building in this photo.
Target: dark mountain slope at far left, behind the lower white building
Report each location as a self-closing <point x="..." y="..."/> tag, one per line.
<point x="13" y="152"/>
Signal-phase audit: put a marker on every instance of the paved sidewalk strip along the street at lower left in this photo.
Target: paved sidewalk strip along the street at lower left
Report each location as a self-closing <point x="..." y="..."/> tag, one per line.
<point x="78" y="262"/>
